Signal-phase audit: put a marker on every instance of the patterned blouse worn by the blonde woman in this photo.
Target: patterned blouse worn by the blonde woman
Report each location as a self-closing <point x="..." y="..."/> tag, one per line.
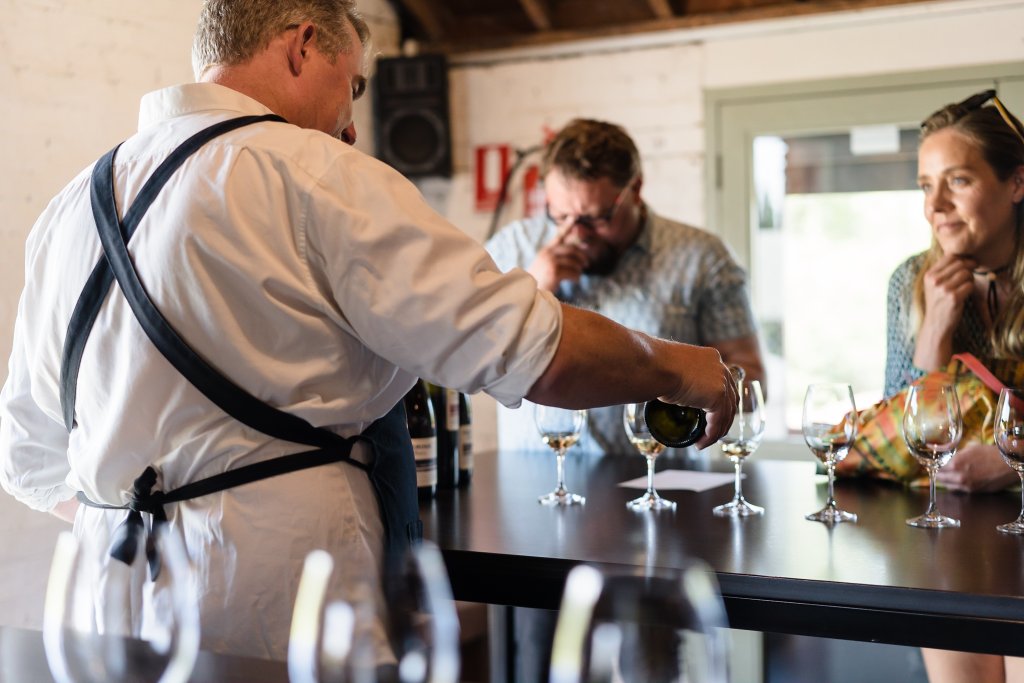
<point x="970" y="336"/>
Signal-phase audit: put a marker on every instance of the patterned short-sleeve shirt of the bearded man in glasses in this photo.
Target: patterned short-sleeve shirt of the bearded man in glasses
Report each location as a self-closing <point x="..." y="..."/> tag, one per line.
<point x="677" y="282"/>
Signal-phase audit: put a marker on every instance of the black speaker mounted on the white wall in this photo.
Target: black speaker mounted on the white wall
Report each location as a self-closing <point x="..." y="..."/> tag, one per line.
<point x="411" y="114"/>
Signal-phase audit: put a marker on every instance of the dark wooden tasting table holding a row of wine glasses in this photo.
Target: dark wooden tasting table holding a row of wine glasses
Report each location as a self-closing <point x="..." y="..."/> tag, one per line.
<point x="878" y="580"/>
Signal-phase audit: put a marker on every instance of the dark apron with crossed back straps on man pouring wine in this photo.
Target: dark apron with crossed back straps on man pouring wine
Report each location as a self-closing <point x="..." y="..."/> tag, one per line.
<point x="392" y="466"/>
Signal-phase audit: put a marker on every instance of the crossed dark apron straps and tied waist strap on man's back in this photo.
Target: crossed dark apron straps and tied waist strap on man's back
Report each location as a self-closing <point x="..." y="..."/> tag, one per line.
<point x="114" y="236"/>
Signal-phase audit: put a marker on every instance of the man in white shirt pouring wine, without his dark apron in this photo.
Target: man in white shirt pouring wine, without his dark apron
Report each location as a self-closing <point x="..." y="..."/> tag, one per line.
<point x="315" y="278"/>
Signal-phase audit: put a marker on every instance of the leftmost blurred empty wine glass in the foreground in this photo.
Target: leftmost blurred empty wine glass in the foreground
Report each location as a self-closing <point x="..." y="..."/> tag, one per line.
<point x="93" y="631"/>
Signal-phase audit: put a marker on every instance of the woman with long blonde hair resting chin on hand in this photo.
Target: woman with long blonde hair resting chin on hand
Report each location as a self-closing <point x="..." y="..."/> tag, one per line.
<point x="966" y="293"/>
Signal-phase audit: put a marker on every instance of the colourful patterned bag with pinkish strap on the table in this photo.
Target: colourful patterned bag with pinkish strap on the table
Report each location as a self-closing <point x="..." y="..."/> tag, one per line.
<point x="879" y="450"/>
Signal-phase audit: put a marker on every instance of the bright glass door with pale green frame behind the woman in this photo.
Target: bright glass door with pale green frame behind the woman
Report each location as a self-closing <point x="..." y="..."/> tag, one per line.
<point x="815" y="188"/>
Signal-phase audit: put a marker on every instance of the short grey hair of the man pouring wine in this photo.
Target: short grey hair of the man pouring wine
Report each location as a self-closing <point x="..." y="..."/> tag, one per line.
<point x="232" y="32"/>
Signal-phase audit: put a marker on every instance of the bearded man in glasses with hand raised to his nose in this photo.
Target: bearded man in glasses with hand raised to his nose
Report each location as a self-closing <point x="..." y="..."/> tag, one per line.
<point x="601" y="247"/>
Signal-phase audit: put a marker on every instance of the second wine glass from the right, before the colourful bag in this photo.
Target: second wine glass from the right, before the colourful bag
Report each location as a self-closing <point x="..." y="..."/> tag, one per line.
<point x="932" y="429"/>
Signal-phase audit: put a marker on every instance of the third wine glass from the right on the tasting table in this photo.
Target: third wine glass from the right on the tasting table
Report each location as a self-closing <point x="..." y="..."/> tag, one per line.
<point x="830" y="425"/>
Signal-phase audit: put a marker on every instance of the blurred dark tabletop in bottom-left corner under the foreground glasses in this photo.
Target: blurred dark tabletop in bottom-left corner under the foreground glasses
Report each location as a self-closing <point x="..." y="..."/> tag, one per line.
<point x="24" y="661"/>
